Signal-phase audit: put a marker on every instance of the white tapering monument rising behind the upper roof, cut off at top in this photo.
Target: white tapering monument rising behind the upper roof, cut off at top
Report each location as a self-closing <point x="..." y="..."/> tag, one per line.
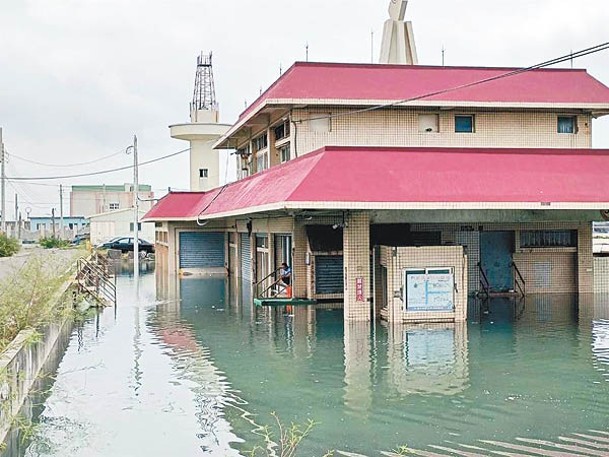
<point x="398" y="38"/>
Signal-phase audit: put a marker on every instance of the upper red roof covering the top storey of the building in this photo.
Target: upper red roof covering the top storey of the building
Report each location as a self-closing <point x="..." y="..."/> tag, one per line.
<point x="338" y="81"/>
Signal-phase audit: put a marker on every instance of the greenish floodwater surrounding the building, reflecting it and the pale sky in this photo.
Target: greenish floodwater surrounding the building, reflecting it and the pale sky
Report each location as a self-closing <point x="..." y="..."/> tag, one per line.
<point x="192" y="369"/>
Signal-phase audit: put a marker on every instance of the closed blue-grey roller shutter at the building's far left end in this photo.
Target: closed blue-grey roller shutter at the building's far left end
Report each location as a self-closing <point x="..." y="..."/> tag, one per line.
<point x="201" y="249"/>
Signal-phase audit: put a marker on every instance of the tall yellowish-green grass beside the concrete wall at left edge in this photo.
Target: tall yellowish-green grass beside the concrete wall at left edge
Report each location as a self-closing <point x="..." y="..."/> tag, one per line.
<point x="27" y="298"/>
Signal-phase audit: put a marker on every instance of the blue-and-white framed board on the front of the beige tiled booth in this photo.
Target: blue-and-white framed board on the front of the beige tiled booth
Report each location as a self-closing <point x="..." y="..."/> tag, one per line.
<point x="429" y="289"/>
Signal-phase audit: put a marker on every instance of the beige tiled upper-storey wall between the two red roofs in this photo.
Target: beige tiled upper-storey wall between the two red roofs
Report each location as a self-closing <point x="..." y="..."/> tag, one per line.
<point x="400" y="127"/>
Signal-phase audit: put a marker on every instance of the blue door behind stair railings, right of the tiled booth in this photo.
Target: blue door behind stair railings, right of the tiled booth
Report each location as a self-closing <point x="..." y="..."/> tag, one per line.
<point x="496" y="250"/>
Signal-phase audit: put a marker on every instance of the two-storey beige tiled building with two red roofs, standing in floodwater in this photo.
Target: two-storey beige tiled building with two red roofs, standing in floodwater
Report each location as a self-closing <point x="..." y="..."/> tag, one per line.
<point x="400" y="190"/>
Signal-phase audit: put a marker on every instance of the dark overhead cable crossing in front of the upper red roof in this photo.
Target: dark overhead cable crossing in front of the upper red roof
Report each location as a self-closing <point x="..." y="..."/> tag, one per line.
<point x="565" y="58"/>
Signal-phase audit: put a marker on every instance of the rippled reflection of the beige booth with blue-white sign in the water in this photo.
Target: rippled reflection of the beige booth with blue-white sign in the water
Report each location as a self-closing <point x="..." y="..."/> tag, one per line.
<point x="431" y="359"/>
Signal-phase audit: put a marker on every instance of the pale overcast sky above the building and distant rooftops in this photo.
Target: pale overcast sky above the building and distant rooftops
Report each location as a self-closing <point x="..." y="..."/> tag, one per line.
<point x="79" y="77"/>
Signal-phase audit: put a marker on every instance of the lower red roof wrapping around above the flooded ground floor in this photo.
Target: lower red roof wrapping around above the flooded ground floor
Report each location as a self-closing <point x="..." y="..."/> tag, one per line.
<point x="408" y="178"/>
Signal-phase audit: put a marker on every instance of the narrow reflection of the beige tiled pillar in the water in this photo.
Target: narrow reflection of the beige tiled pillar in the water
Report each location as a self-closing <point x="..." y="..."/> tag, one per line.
<point x="358" y="357"/>
